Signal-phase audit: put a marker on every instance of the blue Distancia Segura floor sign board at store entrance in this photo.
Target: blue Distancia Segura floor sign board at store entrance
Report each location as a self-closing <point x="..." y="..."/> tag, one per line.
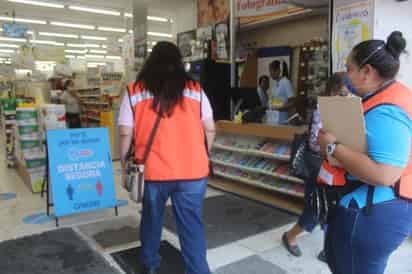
<point x="81" y="173"/>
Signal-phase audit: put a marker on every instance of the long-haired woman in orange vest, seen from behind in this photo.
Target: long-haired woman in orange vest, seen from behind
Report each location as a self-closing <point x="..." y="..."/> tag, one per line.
<point x="177" y="165"/>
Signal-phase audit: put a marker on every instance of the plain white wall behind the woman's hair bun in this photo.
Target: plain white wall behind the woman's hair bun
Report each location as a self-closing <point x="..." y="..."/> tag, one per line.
<point x="390" y="16"/>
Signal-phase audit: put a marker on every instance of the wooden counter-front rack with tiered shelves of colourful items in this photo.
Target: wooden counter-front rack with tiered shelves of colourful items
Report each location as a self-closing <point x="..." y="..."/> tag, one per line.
<point x="249" y="159"/>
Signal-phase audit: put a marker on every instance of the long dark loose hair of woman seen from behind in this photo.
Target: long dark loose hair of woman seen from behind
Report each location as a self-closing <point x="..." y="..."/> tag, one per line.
<point x="163" y="75"/>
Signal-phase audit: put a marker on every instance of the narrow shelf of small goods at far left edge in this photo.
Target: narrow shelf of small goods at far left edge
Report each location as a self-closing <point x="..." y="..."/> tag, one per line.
<point x="9" y="124"/>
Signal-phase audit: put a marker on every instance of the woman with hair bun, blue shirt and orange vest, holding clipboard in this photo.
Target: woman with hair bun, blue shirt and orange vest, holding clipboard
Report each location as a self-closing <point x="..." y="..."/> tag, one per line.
<point x="373" y="219"/>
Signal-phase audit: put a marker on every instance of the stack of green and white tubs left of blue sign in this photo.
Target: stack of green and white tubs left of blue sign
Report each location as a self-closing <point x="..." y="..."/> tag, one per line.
<point x="29" y="147"/>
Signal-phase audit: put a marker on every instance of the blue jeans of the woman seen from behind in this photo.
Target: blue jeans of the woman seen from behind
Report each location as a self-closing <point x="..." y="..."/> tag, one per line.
<point x="187" y="200"/>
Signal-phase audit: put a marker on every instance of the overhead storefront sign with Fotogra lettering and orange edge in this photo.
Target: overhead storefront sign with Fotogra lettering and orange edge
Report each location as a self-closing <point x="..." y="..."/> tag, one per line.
<point x="253" y="11"/>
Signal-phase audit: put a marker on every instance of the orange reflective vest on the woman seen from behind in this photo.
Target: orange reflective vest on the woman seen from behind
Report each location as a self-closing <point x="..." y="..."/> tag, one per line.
<point x="178" y="151"/>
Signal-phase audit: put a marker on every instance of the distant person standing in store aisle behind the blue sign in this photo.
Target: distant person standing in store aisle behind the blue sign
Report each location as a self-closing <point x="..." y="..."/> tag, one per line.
<point x="71" y="102"/>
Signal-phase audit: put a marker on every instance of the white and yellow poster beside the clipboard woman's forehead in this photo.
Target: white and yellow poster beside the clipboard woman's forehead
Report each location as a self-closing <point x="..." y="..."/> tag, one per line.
<point x="352" y="24"/>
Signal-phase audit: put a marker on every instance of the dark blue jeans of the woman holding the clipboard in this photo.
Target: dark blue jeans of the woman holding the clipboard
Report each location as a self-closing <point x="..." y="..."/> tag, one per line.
<point x="357" y="243"/>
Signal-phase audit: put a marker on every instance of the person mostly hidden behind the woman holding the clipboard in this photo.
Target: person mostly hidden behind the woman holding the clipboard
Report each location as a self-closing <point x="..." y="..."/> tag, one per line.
<point x="307" y="221"/>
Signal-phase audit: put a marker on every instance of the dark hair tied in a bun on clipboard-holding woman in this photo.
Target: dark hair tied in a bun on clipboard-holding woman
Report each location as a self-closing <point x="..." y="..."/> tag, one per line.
<point x="384" y="57"/>
